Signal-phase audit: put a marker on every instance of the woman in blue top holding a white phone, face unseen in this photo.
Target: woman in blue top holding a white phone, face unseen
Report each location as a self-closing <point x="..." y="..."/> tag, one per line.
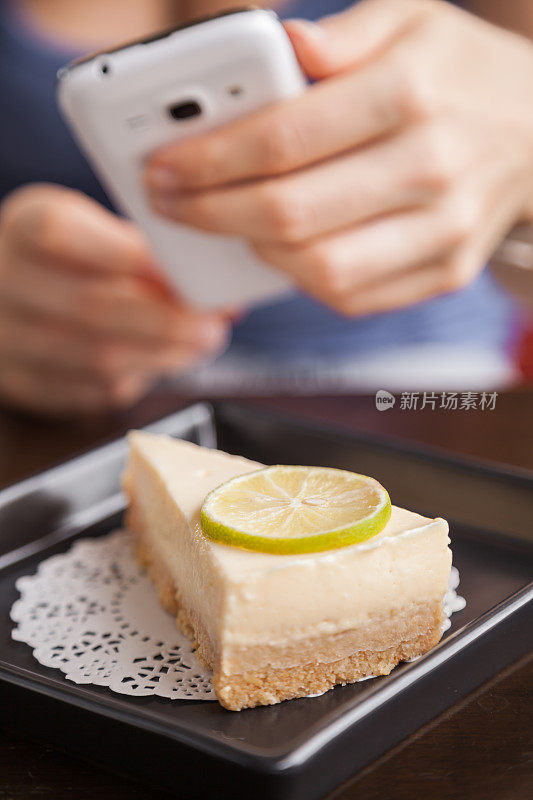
<point x="381" y="191"/>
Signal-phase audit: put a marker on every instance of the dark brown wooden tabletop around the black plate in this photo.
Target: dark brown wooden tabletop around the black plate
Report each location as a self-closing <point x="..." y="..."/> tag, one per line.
<point x="482" y="748"/>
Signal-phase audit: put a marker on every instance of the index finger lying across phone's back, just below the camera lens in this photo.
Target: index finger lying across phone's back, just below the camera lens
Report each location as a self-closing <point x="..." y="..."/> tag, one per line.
<point x="286" y="136"/>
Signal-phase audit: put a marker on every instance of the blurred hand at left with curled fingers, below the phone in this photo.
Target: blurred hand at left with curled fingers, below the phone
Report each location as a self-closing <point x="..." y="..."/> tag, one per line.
<point x="86" y="322"/>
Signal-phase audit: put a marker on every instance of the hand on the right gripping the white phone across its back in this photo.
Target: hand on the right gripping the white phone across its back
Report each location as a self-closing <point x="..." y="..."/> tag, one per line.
<point x="391" y="179"/>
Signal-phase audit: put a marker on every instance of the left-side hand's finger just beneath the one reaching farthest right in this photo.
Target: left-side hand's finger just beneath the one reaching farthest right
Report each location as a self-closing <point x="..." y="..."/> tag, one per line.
<point x="42" y="342"/>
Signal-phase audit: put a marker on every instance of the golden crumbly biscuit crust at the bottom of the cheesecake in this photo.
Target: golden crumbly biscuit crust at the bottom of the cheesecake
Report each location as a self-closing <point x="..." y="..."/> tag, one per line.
<point x="271" y="685"/>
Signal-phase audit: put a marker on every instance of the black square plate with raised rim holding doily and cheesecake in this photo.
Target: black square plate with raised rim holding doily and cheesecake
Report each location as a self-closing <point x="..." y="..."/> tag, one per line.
<point x="302" y="748"/>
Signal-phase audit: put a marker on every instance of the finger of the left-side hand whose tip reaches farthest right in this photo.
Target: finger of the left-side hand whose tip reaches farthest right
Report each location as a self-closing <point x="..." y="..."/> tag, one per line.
<point x="120" y="307"/>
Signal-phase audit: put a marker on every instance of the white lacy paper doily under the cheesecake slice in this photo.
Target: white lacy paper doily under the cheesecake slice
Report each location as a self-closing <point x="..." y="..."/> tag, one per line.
<point x="94" y="614"/>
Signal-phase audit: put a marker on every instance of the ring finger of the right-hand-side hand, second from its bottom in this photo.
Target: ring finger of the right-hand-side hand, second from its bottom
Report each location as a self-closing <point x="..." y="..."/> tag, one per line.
<point x="336" y="265"/>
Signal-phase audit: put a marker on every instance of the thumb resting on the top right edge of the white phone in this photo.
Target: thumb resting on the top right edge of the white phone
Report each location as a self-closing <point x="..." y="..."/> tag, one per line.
<point x="351" y="38"/>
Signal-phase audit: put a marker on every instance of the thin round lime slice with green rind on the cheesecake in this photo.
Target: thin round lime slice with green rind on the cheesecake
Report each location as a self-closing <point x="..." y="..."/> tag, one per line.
<point x="285" y="509"/>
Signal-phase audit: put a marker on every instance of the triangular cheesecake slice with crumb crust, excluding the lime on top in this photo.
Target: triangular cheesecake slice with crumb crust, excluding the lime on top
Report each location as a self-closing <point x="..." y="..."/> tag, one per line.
<point x="274" y="627"/>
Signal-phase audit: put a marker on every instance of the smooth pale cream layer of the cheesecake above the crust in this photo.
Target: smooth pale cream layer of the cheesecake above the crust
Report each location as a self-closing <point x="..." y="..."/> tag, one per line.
<point x="270" y="599"/>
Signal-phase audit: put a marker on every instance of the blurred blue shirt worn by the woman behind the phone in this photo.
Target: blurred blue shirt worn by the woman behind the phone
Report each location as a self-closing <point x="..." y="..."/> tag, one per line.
<point x="35" y="145"/>
